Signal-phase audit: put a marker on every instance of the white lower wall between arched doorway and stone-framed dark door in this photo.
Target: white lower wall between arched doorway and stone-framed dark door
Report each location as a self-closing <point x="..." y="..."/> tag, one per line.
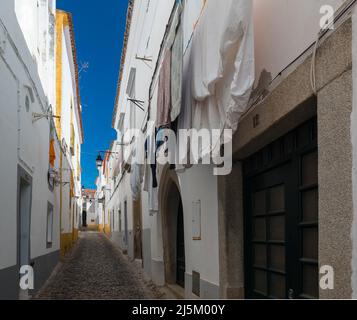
<point x="199" y="184"/>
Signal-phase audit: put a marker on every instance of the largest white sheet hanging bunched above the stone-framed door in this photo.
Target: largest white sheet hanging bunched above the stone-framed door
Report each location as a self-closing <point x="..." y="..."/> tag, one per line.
<point x="223" y="64"/>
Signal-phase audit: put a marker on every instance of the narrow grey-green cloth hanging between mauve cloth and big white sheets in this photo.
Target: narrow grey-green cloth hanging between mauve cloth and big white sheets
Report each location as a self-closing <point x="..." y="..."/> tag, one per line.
<point x="176" y="74"/>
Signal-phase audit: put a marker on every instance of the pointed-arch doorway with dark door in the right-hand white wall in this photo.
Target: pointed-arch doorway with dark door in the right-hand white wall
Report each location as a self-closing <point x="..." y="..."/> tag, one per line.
<point x="173" y="230"/>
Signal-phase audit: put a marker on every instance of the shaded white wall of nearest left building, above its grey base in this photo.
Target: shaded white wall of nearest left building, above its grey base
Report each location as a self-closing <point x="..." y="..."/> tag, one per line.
<point x="29" y="148"/>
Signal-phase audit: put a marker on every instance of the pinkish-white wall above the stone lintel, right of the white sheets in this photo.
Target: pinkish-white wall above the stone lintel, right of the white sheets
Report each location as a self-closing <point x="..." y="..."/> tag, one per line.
<point x="284" y="29"/>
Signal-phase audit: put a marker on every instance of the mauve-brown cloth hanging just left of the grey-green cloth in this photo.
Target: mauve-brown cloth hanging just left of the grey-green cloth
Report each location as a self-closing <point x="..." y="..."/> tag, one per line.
<point x="164" y="92"/>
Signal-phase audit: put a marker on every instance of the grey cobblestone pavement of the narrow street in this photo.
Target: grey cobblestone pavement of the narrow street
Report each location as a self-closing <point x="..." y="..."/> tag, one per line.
<point x="96" y="269"/>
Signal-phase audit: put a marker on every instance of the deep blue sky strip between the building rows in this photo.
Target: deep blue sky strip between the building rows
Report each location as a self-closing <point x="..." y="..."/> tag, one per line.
<point x="99" y="29"/>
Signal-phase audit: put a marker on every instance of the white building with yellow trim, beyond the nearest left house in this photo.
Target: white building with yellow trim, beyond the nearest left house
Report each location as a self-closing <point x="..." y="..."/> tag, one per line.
<point x="69" y="129"/>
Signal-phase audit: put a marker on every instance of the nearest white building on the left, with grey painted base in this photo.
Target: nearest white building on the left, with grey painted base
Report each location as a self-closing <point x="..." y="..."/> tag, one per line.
<point x="32" y="151"/>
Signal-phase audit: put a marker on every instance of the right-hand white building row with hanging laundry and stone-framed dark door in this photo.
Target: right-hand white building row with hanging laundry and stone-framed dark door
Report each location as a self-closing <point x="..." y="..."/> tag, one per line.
<point x="269" y="71"/>
